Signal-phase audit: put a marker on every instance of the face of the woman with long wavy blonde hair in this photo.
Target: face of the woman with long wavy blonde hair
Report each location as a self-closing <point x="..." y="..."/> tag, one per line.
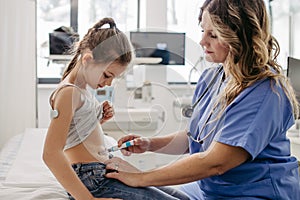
<point x="215" y="51"/>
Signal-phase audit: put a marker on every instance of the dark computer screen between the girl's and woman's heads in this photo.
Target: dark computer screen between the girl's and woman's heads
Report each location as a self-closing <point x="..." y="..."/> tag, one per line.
<point x="170" y="46"/>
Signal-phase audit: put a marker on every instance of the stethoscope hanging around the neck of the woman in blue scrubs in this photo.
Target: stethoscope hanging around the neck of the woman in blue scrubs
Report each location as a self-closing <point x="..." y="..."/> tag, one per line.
<point x="188" y="110"/>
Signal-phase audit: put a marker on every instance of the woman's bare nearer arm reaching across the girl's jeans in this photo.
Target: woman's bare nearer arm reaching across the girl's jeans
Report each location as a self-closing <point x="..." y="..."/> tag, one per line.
<point x="218" y="159"/>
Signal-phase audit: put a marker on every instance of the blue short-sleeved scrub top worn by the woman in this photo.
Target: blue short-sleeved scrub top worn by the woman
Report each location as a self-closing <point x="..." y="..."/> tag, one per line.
<point x="257" y="121"/>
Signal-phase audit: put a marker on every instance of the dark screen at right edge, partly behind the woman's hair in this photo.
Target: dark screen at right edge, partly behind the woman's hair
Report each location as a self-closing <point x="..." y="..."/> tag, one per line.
<point x="293" y="73"/>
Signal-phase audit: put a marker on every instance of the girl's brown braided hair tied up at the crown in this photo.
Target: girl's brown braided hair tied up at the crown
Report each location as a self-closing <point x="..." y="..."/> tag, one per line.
<point x="107" y="45"/>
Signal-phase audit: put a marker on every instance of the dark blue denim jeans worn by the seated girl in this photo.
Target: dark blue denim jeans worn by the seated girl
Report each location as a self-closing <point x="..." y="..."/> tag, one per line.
<point x="93" y="177"/>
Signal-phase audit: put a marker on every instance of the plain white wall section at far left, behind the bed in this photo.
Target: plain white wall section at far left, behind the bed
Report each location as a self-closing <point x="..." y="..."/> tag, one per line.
<point x="17" y="67"/>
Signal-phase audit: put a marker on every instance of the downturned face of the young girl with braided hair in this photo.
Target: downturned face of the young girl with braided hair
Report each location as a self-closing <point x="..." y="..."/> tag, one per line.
<point x="101" y="75"/>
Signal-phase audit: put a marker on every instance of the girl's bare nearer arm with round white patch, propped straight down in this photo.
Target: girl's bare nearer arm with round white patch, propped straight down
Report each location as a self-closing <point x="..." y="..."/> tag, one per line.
<point x="66" y="103"/>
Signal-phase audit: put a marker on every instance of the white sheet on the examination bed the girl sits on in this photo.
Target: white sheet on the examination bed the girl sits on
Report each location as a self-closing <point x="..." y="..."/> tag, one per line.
<point x="27" y="177"/>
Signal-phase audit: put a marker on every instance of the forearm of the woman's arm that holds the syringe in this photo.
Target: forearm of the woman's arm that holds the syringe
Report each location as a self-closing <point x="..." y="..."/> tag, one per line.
<point x="175" y="143"/>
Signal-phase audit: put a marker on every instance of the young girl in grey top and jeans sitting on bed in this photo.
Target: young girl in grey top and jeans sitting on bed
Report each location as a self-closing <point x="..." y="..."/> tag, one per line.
<point x="74" y="148"/>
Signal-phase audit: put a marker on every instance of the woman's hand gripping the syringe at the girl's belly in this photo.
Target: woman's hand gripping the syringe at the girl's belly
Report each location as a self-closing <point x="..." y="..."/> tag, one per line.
<point x="141" y="144"/>
